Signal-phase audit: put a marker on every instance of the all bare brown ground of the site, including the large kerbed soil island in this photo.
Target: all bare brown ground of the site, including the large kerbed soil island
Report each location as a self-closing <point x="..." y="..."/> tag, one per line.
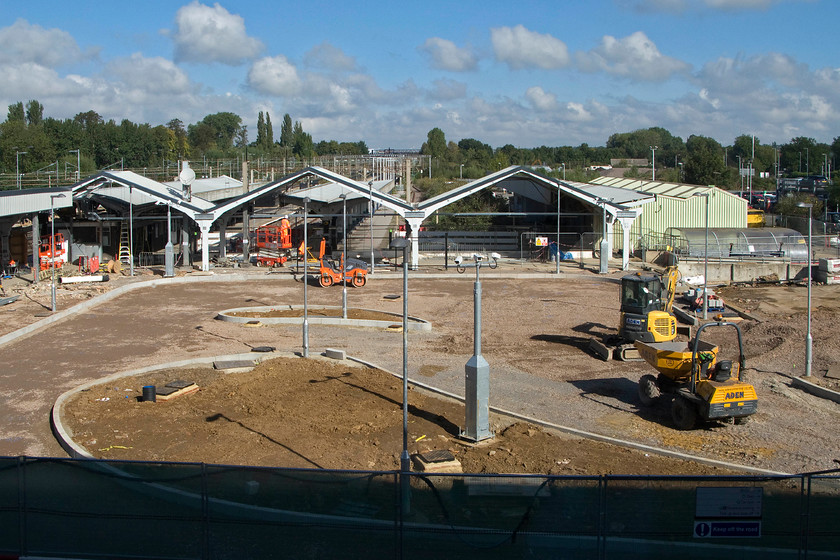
<point x="302" y="413"/>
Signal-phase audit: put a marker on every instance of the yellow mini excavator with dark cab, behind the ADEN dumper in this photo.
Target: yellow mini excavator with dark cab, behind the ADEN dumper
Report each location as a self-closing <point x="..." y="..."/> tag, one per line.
<point x="646" y="304"/>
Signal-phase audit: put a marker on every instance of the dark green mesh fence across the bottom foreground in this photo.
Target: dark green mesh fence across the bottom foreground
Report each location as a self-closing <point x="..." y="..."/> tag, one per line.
<point x="92" y="509"/>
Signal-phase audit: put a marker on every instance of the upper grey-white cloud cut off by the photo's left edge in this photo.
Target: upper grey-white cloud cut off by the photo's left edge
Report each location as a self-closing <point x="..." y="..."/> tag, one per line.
<point x="22" y="42"/>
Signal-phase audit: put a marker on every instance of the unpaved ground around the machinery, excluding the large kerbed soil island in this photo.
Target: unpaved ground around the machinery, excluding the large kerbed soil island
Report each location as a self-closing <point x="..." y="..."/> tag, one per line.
<point x="534" y="337"/>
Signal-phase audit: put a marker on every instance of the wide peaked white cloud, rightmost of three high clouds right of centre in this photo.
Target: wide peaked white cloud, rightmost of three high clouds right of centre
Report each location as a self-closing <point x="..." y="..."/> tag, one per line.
<point x="635" y="57"/>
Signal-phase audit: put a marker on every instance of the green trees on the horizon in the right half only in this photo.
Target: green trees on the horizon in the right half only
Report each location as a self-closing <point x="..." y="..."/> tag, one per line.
<point x="699" y="160"/>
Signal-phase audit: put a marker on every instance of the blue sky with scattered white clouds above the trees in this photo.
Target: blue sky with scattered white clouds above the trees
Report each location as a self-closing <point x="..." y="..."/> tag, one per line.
<point x="529" y="73"/>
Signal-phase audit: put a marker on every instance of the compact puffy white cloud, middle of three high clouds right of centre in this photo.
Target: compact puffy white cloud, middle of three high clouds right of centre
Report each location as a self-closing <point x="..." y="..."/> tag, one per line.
<point x="521" y="48"/>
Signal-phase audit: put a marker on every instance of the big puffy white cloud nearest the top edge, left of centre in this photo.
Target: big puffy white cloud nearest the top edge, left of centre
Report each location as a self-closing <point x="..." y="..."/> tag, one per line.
<point x="212" y="34"/>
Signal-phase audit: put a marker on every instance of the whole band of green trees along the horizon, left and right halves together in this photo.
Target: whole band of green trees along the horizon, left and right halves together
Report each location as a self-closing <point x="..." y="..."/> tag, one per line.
<point x="29" y="141"/>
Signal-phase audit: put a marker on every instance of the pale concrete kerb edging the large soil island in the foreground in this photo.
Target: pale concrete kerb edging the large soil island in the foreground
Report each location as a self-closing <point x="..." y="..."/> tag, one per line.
<point x="76" y="451"/>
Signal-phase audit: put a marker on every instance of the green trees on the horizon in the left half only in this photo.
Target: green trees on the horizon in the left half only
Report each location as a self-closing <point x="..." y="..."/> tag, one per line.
<point x="29" y="141"/>
